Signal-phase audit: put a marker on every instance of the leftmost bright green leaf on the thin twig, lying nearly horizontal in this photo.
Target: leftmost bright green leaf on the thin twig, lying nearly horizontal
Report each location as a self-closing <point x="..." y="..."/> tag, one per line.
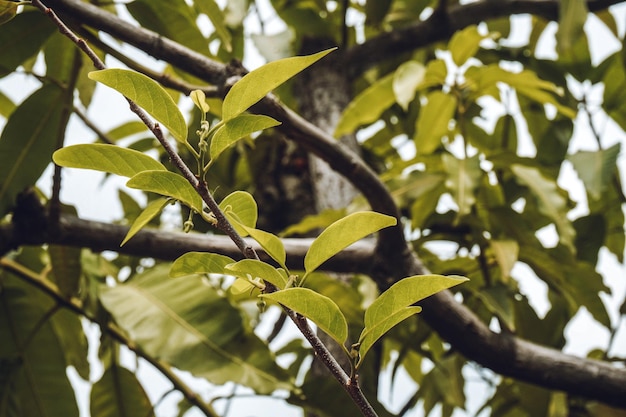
<point x="106" y="158"/>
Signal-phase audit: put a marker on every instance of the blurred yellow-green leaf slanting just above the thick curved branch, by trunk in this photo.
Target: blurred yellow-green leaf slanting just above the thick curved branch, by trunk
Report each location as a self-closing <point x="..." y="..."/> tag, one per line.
<point x="367" y="107"/>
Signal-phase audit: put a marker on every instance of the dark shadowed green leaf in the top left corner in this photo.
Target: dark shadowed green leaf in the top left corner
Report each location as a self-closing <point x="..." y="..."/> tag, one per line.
<point x="22" y="38"/>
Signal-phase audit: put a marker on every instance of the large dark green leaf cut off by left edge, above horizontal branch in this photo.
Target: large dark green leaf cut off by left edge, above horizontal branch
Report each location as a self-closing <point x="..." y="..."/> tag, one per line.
<point x="27" y="142"/>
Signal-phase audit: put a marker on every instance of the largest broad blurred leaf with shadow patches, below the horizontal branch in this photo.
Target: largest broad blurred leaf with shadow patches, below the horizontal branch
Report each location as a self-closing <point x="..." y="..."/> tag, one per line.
<point x="218" y="344"/>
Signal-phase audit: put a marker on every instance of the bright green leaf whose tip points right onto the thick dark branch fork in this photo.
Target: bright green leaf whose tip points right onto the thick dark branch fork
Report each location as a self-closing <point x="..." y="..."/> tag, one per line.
<point x="342" y="234"/>
